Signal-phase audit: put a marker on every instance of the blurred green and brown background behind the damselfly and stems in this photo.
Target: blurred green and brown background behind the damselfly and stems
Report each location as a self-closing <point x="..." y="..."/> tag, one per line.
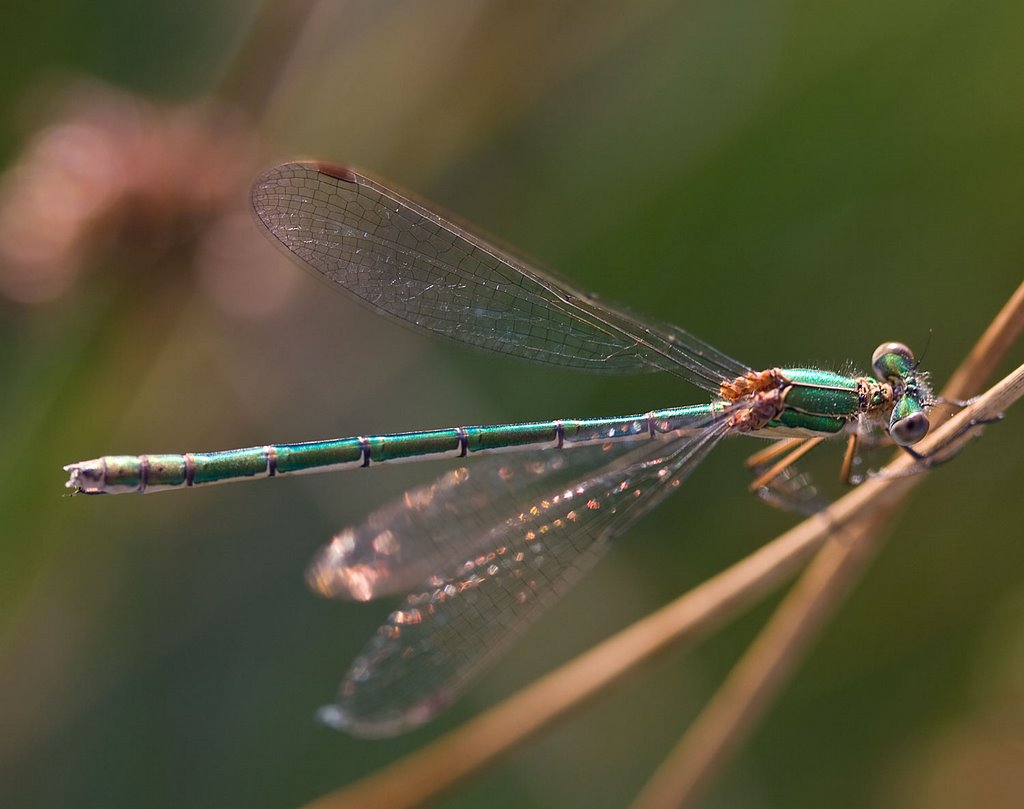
<point x="795" y="183"/>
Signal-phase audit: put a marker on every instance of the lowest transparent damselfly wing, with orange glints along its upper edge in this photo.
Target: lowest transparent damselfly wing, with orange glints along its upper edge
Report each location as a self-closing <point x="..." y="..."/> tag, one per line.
<point x="443" y="637"/>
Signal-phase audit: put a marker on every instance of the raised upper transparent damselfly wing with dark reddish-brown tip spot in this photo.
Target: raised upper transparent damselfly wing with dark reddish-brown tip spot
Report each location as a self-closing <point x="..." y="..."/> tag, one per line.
<point x="420" y="268"/>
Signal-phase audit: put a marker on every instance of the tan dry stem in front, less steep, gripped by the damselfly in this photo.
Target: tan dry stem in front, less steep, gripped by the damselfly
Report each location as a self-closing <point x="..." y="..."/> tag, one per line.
<point x="440" y="767"/>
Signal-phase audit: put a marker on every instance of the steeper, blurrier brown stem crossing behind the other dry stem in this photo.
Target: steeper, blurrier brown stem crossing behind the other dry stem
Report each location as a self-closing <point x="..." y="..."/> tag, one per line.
<point x="745" y="697"/>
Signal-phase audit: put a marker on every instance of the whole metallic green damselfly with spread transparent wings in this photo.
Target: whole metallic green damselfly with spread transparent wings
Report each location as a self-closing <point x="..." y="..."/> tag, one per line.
<point x="488" y="546"/>
